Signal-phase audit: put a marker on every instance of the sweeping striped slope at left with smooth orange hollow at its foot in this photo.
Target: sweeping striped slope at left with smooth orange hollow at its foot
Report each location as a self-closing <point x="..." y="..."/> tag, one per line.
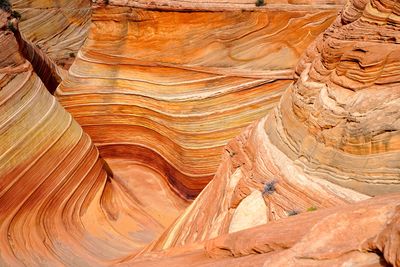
<point x="60" y="204"/>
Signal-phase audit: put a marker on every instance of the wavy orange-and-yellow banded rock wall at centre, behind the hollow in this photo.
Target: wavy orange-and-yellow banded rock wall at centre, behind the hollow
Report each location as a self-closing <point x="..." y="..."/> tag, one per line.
<point x="168" y="89"/>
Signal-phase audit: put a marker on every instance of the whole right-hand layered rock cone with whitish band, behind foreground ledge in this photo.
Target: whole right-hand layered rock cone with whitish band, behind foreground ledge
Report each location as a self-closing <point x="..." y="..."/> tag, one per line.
<point x="332" y="140"/>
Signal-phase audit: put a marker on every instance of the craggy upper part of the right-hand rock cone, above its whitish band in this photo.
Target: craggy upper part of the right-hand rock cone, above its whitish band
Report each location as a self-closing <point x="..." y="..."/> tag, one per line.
<point x="339" y="120"/>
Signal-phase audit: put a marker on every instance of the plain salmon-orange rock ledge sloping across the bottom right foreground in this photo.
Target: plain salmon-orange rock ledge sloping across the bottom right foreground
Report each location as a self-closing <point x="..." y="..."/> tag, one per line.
<point x="361" y="234"/>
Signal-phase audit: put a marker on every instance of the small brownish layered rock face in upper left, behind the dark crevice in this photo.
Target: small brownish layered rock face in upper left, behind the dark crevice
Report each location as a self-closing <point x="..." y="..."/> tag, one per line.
<point x="57" y="27"/>
